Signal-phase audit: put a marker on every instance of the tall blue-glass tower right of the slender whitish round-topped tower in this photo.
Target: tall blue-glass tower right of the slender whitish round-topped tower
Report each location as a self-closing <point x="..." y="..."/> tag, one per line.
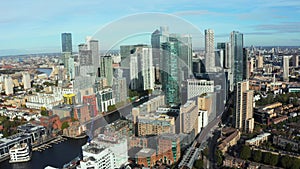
<point x="237" y="58"/>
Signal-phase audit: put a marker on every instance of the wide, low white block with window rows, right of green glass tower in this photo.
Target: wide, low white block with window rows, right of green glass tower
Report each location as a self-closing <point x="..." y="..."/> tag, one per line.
<point x="197" y="87"/>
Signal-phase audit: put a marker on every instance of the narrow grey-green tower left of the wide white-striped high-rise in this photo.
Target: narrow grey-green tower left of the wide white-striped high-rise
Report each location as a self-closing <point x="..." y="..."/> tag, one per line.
<point x="106" y="69"/>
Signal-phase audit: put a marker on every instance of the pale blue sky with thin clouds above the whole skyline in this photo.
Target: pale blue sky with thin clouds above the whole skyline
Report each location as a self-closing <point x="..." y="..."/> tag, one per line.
<point x="35" y="26"/>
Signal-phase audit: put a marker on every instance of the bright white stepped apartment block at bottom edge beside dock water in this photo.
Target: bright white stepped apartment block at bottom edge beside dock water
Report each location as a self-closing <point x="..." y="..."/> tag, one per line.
<point x="97" y="157"/>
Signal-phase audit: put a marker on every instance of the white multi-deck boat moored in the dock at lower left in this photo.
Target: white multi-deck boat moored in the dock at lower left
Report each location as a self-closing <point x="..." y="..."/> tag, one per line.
<point x="20" y="153"/>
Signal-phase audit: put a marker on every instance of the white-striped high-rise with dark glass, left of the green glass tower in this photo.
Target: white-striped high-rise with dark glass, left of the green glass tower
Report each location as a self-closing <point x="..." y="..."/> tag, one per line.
<point x="141" y="68"/>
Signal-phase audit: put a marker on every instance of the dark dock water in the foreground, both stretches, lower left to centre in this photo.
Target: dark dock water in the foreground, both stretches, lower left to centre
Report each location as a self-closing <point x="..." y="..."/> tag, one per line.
<point x="62" y="153"/>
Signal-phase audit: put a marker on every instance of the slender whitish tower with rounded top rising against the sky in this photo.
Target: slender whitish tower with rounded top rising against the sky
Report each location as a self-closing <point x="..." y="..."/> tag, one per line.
<point x="209" y="50"/>
